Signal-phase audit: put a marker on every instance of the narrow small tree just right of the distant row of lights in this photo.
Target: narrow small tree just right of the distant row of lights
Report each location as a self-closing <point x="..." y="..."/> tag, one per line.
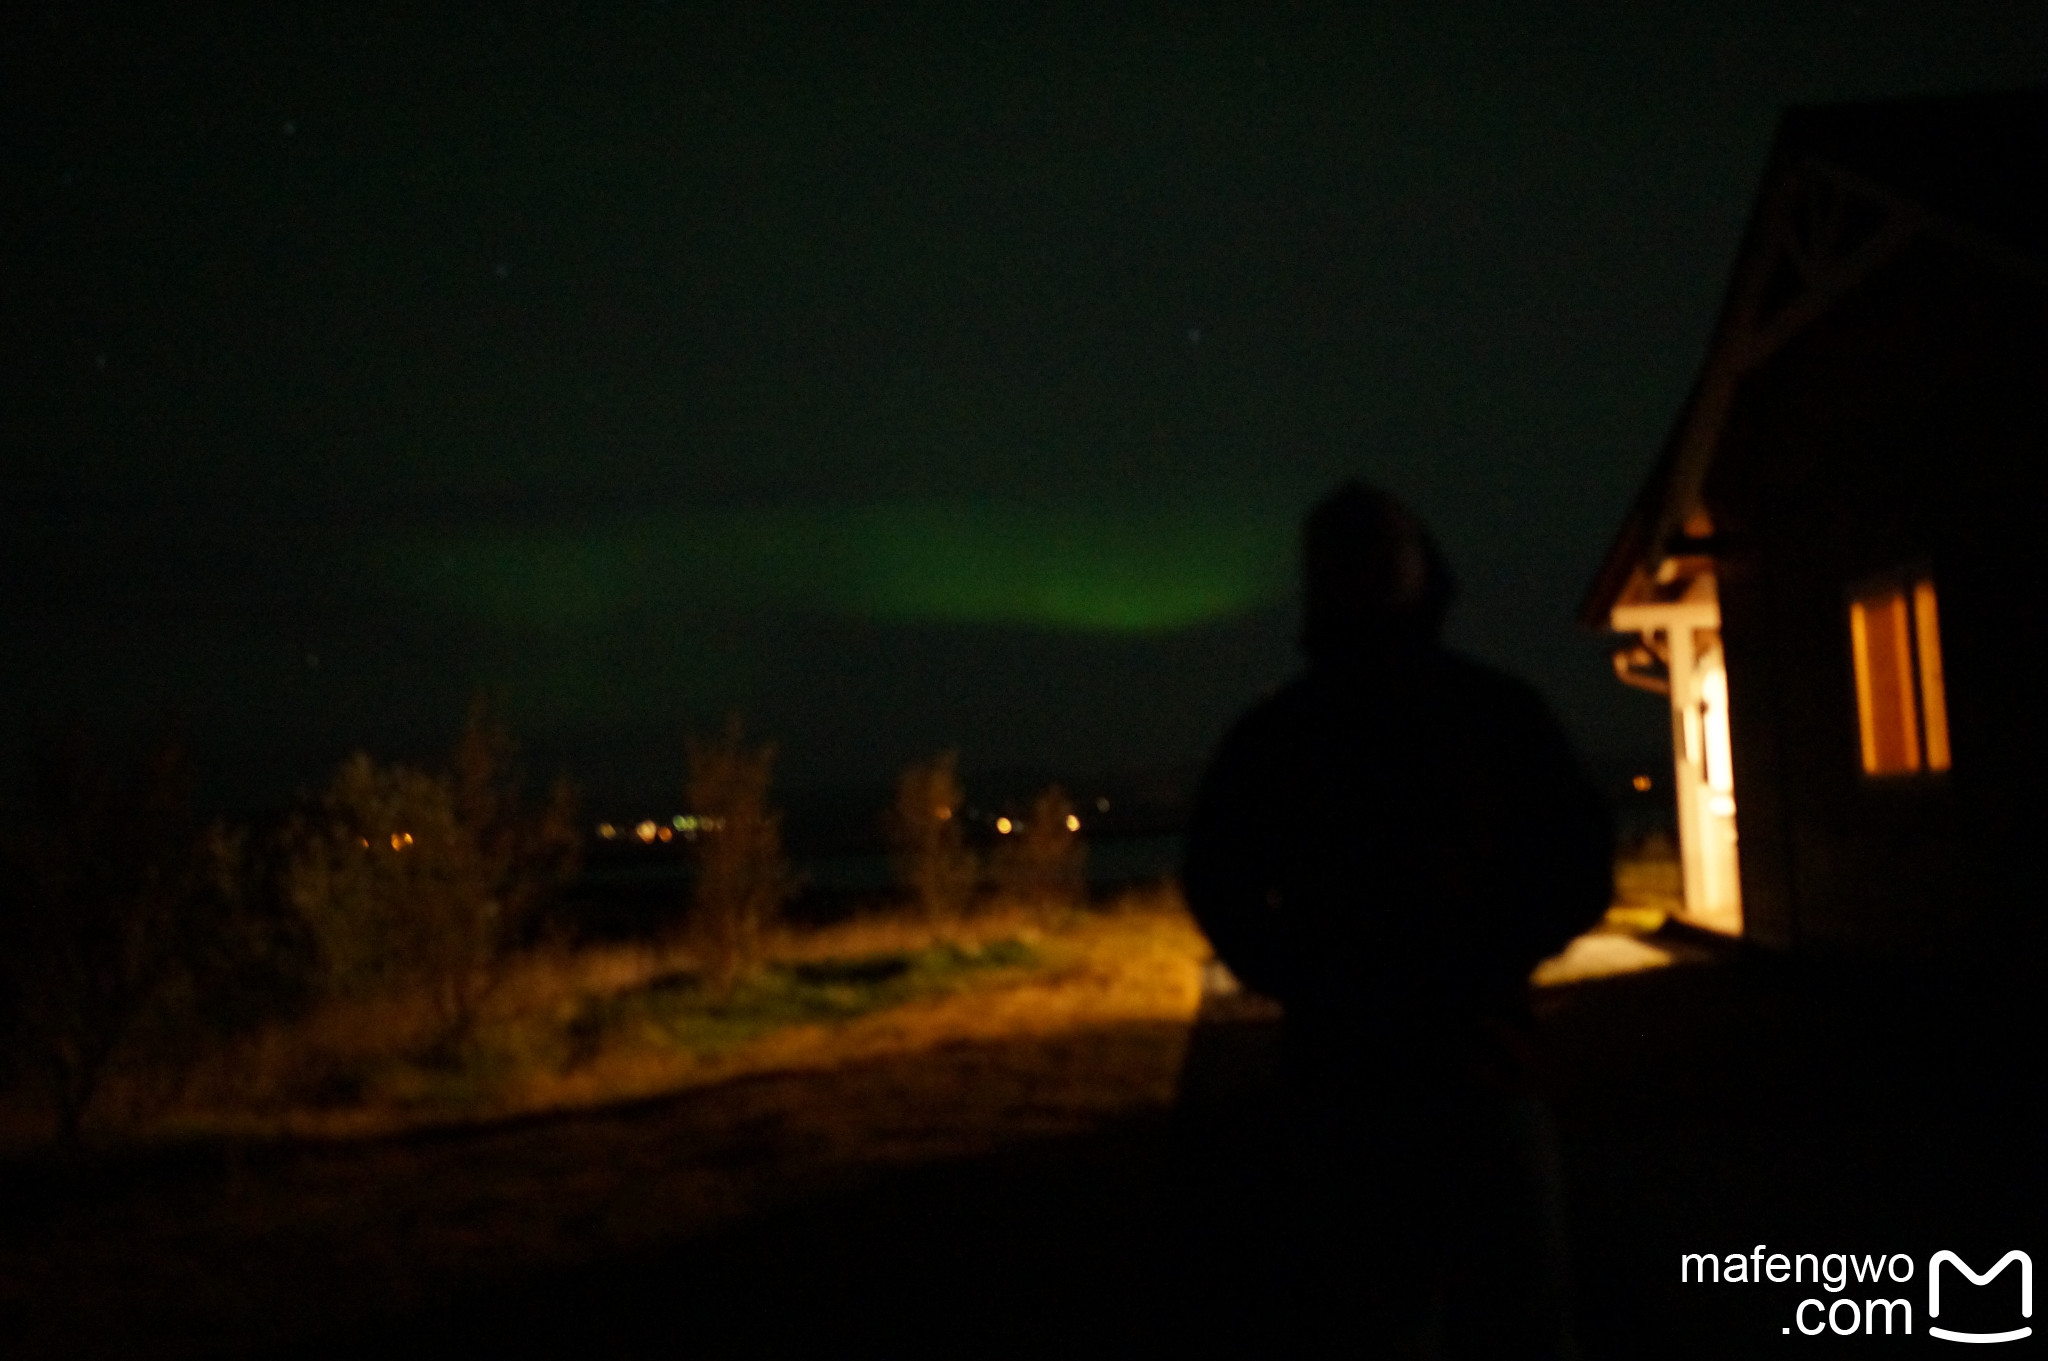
<point x="742" y="877"/>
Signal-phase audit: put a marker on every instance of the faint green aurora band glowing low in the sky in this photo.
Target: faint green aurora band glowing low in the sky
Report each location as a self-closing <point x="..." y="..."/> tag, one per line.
<point x="1086" y="570"/>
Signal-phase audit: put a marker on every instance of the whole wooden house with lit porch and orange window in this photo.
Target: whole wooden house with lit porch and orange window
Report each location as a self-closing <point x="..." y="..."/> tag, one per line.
<point x="1840" y="562"/>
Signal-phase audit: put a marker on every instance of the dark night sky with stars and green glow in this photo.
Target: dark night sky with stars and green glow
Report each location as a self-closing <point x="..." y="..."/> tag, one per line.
<point x="947" y="378"/>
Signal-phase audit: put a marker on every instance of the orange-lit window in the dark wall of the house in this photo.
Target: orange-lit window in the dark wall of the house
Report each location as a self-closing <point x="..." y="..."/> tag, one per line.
<point x="1902" y="707"/>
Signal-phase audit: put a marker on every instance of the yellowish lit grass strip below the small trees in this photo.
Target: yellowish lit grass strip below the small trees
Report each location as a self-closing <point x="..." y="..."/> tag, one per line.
<point x="570" y="1030"/>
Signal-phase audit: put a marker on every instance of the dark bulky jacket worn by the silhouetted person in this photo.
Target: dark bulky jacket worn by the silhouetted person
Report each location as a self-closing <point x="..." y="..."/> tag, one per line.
<point x="1390" y="846"/>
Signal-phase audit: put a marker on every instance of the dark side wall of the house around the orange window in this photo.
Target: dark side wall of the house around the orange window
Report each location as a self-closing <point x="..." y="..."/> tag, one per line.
<point x="1904" y="427"/>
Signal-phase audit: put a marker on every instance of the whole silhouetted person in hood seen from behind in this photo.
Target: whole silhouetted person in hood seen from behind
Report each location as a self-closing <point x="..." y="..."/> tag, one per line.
<point x="1388" y="846"/>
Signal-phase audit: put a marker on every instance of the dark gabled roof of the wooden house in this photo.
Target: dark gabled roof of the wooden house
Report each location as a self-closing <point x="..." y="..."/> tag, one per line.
<point x="1846" y="187"/>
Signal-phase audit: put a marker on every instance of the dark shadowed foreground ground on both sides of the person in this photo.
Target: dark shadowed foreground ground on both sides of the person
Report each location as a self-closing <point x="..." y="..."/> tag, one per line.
<point x="1031" y="1188"/>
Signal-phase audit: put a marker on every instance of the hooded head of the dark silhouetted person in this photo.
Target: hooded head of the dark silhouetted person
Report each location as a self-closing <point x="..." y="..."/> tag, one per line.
<point x="1373" y="580"/>
